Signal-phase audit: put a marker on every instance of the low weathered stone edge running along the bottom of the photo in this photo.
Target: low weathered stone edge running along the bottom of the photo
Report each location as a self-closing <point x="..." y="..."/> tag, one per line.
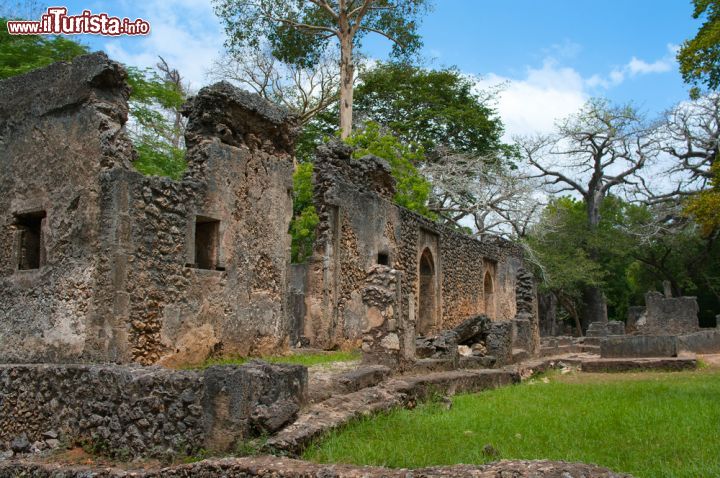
<point x="276" y="467"/>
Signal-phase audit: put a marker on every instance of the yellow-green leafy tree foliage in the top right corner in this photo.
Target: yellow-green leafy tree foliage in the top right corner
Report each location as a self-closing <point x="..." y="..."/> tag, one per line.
<point x="699" y="57"/>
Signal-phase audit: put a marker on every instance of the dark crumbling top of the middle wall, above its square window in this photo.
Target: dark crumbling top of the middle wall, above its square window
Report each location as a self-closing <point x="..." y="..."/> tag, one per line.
<point x="238" y="118"/>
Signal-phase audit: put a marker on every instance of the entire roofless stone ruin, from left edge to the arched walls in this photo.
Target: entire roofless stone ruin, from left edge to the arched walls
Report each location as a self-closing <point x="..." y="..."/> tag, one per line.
<point x="99" y="263"/>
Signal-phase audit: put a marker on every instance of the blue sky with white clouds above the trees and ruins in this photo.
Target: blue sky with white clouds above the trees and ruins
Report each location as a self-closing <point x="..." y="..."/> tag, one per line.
<point x="550" y="55"/>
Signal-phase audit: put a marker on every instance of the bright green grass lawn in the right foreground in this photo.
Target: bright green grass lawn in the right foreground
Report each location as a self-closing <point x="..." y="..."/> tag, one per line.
<point x="650" y="424"/>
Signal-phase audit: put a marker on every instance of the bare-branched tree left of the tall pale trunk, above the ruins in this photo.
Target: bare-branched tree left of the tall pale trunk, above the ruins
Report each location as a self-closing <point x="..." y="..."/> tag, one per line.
<point x="305" y="91"/>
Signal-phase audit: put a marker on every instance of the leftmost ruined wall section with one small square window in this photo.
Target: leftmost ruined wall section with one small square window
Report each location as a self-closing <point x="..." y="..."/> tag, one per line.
<point x="60" y="128"/>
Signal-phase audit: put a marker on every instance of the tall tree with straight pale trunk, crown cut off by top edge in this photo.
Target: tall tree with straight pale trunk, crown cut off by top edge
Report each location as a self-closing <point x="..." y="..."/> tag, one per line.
<point x="299" y="31"/>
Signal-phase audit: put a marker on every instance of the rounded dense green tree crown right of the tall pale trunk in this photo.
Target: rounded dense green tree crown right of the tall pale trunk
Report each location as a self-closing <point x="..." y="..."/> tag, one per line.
<point x="431" y="108"/>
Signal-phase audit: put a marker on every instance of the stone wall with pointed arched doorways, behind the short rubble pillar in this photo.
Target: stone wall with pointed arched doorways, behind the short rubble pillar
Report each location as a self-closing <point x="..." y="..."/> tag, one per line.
<point x="359" y="221"/>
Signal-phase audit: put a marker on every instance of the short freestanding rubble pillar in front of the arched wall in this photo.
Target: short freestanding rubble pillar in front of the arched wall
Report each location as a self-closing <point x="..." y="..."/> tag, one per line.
<point x="384" y="338"/>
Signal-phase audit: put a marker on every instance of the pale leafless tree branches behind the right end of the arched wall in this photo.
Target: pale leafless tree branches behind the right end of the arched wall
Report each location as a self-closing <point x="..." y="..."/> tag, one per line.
<point x="479" y="191"/>
